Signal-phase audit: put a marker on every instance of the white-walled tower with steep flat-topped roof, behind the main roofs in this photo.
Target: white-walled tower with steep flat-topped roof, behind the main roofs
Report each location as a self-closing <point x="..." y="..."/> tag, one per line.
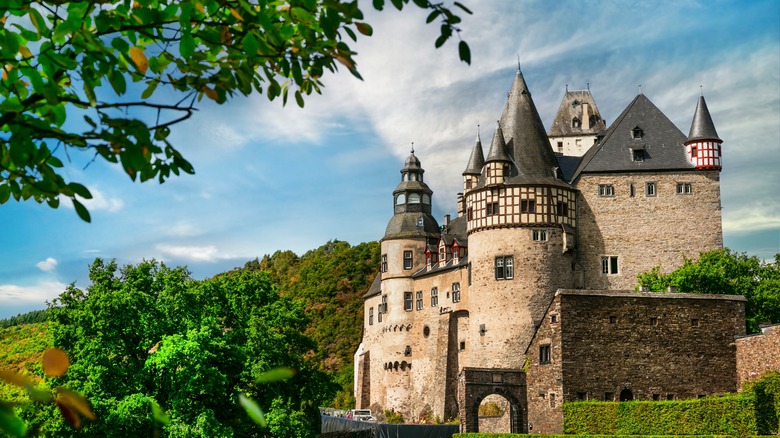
<point x="576" y="125"/>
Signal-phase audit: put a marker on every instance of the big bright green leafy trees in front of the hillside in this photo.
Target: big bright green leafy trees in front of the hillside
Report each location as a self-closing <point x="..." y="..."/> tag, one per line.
<point x="148" y="335"/>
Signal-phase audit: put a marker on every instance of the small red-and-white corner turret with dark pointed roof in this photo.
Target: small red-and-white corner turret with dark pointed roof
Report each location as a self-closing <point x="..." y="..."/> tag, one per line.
<point x="703" y="143"/>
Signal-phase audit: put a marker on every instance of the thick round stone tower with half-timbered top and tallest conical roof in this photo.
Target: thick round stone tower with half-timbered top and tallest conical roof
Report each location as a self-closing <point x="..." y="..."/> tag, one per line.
<point x="521" y="216"/>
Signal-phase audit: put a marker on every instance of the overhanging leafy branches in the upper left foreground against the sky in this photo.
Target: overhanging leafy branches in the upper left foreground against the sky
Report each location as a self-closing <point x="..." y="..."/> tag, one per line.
<point x="82" y="76"/>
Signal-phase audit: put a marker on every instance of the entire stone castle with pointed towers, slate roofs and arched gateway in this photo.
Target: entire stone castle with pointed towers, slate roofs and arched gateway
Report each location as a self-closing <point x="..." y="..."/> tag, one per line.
<point x="529" y="293"/>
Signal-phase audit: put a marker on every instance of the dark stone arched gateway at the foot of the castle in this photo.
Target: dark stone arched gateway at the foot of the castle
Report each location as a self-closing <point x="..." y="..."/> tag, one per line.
<point x="474" y="384"/>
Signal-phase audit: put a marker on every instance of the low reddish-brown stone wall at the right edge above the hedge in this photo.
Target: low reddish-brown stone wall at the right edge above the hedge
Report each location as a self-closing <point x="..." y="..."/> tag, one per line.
<point x="757" y="354"/>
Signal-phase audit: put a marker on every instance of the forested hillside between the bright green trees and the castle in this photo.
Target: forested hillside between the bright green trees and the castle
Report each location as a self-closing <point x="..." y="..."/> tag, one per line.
<point x="330" y="281"/>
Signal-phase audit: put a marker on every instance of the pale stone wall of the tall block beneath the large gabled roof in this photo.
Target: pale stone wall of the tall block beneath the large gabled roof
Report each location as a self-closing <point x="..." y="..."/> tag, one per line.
<point x="645" y="231"/>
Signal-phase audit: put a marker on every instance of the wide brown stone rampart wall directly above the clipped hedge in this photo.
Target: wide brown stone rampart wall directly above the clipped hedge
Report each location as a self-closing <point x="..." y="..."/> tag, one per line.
<point x="655" y="345"/>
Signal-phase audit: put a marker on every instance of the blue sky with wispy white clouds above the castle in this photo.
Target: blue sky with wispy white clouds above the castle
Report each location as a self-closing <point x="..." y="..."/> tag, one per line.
<point x="270" y="178"/>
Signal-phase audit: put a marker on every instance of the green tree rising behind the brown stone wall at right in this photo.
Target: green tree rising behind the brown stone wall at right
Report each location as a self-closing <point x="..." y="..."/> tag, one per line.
<point x="726" y="272"/>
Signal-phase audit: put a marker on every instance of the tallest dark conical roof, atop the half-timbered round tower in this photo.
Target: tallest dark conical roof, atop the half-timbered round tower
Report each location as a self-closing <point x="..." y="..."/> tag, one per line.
<point x="526" y="138"/>
